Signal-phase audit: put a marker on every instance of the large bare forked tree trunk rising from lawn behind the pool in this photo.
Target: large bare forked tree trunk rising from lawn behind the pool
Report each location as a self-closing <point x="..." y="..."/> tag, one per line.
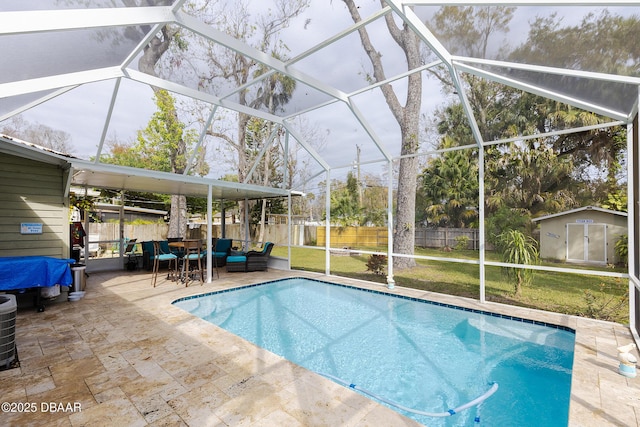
<point x="408" y="117"/>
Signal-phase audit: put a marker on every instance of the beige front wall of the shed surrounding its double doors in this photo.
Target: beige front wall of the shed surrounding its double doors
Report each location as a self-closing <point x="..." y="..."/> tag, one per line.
<point x="553" y="232"/>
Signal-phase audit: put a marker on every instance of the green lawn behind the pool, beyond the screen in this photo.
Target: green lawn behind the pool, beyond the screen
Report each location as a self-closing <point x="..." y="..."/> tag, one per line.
<point x="584" y="295"/>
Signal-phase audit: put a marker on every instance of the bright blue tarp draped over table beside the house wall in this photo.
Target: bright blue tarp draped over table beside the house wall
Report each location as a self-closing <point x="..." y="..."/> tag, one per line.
<point x="34" y="271"/>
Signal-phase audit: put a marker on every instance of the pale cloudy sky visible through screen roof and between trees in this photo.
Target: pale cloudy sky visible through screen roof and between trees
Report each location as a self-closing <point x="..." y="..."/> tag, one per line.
<point x="83" y="111"/>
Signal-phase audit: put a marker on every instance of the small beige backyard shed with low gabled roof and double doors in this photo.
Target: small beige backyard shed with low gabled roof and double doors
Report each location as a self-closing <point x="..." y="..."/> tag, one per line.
<point x="584" y="235"/>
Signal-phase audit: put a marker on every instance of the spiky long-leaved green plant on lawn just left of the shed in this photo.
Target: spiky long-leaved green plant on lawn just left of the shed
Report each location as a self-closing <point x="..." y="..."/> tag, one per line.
<point x="518" y="248"/>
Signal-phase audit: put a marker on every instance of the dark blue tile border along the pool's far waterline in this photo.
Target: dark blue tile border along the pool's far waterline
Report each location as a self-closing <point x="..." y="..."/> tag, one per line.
<point x="405" y="297"/>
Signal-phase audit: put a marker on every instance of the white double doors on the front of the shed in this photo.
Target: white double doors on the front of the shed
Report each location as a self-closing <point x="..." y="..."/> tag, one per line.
<point x="587" y="242"/>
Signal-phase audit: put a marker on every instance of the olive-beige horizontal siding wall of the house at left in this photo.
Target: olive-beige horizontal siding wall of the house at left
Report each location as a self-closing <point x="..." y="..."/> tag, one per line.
<point x="32" y="192"/>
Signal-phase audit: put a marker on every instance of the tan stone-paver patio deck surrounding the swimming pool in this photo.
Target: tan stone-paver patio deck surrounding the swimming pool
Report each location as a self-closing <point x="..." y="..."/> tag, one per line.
<point x="124" y="356"/>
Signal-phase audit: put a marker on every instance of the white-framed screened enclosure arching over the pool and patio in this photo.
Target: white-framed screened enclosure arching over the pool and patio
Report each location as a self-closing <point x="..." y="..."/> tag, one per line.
<point x="400" y="116"/>
